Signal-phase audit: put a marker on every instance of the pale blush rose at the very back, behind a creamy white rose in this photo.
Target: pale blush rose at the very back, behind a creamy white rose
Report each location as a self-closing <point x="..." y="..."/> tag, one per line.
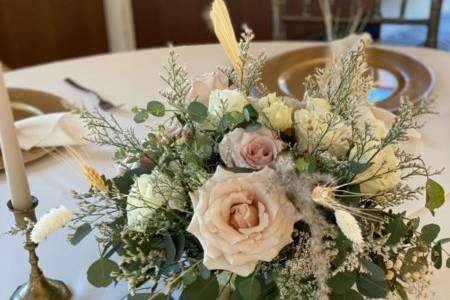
<point x="204" y="84"/>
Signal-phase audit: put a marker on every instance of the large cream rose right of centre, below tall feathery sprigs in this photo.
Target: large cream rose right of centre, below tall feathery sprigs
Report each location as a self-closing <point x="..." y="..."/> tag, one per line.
<point x="311" y="129"/>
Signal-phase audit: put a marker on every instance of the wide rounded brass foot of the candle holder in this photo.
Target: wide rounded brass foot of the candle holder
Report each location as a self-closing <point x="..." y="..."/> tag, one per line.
<point x="45" y="289"/>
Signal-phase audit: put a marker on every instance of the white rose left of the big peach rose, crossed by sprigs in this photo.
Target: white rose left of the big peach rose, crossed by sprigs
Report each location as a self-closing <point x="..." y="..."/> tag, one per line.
<point x="150" y="192"/>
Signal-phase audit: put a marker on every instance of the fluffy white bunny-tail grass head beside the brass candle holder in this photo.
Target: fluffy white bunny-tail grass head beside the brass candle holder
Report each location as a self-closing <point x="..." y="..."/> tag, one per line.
<point x="50" y="222"/>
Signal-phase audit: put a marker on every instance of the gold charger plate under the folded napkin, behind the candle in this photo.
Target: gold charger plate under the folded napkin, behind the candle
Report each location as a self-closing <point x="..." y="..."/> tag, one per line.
<point x="27" y="103"/>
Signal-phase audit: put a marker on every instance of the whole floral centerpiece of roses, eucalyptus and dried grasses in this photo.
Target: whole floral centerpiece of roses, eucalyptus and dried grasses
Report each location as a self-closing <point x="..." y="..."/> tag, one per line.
<point x="243" y="194"/>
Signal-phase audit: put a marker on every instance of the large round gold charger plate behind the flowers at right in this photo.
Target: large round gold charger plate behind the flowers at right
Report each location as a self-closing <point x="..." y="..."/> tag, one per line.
<point x="396" y="75"/>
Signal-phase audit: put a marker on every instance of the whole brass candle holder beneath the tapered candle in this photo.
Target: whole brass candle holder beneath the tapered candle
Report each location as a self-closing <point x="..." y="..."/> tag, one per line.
<point x="38" y="286"/>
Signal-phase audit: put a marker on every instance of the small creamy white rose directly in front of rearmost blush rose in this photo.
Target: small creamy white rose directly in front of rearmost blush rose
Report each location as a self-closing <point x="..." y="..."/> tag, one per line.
<point x="226" y="101"/>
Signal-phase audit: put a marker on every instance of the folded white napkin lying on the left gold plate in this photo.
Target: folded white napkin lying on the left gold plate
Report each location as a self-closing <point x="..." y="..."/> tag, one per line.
<point x="50" y="130"/>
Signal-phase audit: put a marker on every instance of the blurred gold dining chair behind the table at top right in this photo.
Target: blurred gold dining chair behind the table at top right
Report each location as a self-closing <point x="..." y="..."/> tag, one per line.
<point x="363" y="13"/>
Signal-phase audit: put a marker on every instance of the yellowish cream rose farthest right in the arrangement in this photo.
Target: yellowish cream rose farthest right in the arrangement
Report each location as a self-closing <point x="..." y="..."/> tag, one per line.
<point x="383" y="168"/>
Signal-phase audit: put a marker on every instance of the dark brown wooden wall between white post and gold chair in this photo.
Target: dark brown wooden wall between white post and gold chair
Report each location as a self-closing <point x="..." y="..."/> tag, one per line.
<point x="158" y="22"/>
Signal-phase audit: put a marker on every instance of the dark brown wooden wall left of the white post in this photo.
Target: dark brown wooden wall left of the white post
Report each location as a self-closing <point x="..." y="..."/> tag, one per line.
<point x="33" y="32"/>
